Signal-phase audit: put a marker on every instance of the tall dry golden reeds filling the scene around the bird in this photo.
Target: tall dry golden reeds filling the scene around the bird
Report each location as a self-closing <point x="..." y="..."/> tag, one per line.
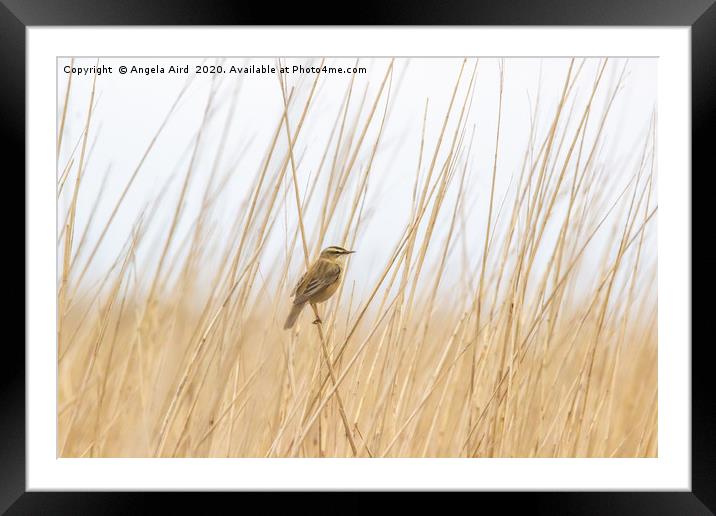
<point x="542" y="343"/>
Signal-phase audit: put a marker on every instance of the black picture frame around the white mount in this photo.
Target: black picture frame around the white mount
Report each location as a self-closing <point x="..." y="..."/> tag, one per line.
<point x="700" y="15"/>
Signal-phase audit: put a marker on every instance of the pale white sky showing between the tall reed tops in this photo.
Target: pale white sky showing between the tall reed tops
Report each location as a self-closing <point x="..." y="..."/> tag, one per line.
<point x="131" y="107"/>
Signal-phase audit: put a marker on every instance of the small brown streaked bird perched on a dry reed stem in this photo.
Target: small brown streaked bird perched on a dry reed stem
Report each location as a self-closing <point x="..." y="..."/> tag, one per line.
<point x="319" y="283"/>
